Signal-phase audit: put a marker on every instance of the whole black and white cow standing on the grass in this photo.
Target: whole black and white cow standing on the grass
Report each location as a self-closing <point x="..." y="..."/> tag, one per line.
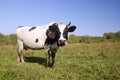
<point x="49" y="37"/>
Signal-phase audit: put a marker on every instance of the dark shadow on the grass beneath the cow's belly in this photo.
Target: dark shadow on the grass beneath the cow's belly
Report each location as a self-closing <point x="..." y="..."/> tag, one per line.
<point x="39" y="60"/>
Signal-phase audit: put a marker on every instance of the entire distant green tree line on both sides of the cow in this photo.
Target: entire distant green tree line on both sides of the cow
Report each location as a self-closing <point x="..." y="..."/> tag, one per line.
<point x="11" y="39"/>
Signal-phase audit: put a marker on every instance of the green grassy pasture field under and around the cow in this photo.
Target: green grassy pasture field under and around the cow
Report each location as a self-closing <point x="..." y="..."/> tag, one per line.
<point x="93" y="61"/>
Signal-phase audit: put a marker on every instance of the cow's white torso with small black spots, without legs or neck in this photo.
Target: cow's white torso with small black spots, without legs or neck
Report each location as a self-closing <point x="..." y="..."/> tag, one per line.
<point x="32" y="37"/>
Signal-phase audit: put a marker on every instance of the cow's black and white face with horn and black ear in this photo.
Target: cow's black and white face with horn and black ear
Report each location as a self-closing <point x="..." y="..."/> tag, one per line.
<point x="64" y="29"/>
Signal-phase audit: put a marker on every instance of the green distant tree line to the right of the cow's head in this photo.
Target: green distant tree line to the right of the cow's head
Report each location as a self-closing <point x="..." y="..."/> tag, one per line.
<point x="94" y="39"/>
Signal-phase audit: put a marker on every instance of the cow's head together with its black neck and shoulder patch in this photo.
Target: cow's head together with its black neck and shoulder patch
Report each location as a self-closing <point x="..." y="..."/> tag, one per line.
<point x="59" y="32"/>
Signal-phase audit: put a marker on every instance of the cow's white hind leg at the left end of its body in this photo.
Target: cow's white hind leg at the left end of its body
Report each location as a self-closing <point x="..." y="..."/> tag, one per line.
<point x="20" y="48"/>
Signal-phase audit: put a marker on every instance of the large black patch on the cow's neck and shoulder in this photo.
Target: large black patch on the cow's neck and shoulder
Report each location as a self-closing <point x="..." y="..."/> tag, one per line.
<point x="53" y="34"/>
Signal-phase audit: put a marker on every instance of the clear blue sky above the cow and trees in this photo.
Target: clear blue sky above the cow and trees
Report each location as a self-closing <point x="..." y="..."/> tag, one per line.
<point x="92" y="17"/>
